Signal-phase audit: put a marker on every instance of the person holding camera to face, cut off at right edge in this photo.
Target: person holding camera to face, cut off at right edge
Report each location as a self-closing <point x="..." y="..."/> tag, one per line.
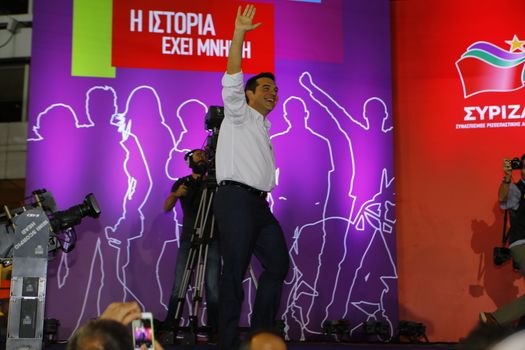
<point x="512" y="198"/>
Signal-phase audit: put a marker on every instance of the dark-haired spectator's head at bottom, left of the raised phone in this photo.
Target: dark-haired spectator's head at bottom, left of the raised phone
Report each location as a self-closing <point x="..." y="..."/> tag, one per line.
<point x="101" y="334"/>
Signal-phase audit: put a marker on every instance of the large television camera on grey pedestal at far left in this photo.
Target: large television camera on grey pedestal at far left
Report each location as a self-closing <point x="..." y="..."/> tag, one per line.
<point x="27" y="235"/>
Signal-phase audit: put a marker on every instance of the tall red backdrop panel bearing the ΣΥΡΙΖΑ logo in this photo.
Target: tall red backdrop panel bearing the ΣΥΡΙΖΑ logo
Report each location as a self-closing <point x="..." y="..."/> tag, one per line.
<point x="456" y="118"/>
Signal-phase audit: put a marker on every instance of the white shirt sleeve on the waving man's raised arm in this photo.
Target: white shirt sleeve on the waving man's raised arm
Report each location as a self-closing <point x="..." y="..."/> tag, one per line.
<point x="234" y="98"/>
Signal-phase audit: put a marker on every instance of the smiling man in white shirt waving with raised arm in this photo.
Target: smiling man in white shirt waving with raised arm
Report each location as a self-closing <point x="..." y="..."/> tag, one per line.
<point x="245" y="169"/>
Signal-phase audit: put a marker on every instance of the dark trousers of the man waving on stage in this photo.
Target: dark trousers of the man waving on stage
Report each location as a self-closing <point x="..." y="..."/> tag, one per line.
<point x="248" y="227"/>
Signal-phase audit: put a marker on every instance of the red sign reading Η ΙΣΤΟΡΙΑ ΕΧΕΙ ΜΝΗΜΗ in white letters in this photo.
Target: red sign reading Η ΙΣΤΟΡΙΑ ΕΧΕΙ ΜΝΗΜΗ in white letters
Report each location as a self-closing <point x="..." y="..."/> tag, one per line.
<point x="187" y="35"/>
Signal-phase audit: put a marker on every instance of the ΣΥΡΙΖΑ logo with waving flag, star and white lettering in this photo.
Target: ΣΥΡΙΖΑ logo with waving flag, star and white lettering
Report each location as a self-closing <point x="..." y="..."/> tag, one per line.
<point x="485" y="67"/>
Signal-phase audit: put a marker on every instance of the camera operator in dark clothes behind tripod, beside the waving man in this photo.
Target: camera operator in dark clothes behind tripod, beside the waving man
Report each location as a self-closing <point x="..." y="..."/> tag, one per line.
<point x="189" y="190"/>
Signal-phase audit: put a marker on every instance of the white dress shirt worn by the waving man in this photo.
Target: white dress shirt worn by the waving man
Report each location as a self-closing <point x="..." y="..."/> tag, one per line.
<point x="244" y="150"/>
